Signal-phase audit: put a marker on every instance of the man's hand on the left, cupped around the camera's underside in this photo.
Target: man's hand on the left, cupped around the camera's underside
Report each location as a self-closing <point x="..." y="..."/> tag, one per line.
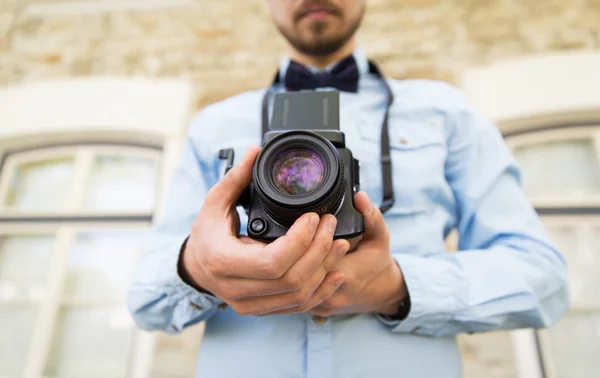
<point x="293" y="272"/>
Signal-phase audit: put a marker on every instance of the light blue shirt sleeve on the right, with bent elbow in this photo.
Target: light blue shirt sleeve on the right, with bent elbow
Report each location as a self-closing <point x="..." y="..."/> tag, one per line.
<point x="507" y="274"/>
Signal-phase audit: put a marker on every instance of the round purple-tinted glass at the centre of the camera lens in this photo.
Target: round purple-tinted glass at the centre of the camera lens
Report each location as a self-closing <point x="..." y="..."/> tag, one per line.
<point x="298" y="171"/>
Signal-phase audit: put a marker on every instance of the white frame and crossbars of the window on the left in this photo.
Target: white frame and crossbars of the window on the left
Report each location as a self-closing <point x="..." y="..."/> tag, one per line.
<point x="64" y="226"/>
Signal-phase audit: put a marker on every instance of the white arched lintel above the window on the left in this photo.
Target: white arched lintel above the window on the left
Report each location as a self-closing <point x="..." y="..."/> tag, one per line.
<point x="136" y="106"/>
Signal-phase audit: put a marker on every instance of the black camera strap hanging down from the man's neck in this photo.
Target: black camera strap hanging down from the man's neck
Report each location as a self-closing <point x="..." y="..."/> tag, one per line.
<point x="386" y="159"/>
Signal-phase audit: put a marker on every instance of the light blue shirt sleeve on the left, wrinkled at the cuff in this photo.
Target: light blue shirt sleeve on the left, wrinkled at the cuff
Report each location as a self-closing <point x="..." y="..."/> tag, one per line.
<point x="158" y="298"/>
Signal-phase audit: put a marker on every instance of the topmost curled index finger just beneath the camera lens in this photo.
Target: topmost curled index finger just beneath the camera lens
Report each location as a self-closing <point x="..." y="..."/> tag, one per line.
<point x="245" y="259"/>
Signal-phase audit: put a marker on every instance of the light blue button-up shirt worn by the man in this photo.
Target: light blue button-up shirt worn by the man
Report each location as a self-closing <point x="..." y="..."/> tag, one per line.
<point x="451" y="170"/>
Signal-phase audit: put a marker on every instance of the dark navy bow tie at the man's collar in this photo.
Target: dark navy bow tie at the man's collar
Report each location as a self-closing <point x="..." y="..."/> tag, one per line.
<point x="343" y="77"/>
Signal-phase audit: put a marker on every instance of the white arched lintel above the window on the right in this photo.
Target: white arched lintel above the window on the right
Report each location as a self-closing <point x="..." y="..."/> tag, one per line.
<point x="538" y="89"/>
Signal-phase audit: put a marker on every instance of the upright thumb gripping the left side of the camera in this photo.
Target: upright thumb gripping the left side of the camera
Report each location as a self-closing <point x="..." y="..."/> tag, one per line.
<point x="229" y="189"/>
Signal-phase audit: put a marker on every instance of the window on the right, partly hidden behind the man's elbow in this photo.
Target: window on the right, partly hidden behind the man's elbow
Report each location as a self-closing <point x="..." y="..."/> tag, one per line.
<point x="561" y="174"/>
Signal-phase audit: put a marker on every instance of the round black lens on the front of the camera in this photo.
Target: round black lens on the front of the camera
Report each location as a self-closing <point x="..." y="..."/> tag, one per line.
<point x="299" y="172"/>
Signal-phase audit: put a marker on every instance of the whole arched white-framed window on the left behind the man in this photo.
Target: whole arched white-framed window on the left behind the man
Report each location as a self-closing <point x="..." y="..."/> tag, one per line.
<point x="71" y="222"/>
